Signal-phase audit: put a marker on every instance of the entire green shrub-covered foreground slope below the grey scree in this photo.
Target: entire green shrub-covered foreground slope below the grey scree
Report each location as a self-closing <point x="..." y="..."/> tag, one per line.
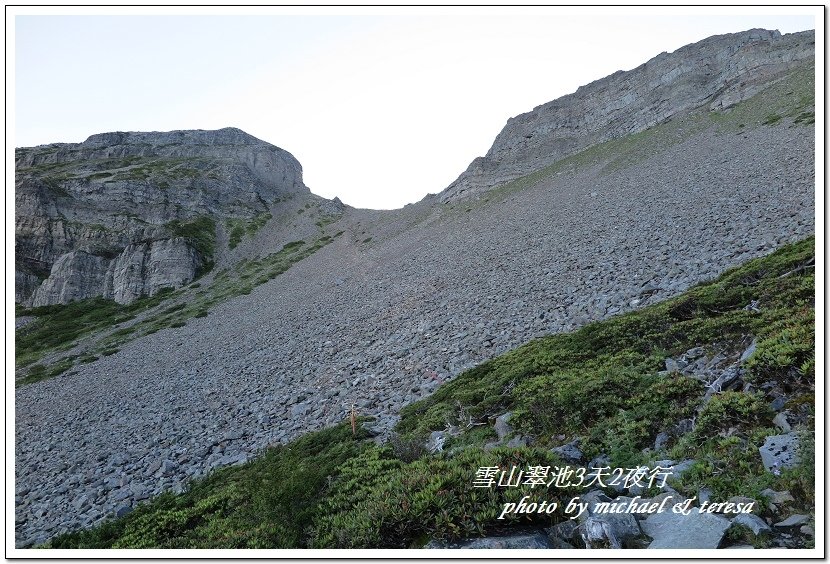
<point x="616" y="386"/>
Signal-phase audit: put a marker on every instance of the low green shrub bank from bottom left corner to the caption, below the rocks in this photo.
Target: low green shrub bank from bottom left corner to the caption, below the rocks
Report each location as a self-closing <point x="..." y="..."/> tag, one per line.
<point x="326" y="489"/>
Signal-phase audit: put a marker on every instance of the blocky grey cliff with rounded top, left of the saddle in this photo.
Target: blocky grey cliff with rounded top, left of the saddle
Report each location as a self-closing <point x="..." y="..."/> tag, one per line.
<point x="116" y="216"/>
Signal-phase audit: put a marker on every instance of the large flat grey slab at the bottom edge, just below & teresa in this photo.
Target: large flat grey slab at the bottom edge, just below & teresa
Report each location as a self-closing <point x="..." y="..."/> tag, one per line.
<point x="696" y="530"/>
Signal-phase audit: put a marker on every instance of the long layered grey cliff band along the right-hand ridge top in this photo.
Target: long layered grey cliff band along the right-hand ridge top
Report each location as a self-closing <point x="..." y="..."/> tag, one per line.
<point x="717" y="73"/>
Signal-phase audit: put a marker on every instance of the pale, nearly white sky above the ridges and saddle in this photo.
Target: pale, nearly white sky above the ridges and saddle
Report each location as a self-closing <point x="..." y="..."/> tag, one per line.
<point x="380" y="109"/>
